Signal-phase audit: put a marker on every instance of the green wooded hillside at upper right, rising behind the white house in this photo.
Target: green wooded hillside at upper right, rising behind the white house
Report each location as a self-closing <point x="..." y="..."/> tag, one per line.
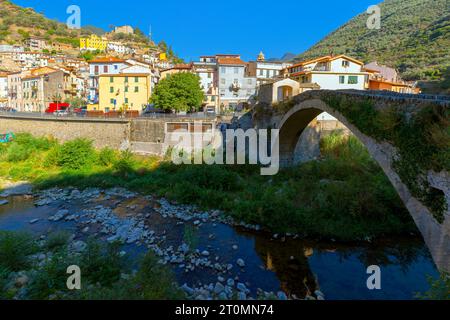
<point x="414" y="38"/>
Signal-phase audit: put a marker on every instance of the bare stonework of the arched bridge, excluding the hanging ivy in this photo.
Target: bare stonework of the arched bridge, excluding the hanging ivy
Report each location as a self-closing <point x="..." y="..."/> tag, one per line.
<point x="296" y="116"/>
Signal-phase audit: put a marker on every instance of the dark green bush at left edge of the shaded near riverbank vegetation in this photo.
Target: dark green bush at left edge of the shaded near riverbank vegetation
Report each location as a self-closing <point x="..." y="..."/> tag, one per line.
<point x="15" y="247"/>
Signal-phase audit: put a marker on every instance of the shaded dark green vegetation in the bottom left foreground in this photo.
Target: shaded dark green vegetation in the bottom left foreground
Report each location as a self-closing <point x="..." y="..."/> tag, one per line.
<point x="102" y="268"/>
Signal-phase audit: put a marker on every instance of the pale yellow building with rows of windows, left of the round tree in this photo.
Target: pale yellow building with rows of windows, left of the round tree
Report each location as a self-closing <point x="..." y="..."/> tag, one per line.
<point x="124" y="92"/>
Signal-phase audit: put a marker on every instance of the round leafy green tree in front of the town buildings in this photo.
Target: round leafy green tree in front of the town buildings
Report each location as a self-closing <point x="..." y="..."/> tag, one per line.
<point x="179" y="92"/>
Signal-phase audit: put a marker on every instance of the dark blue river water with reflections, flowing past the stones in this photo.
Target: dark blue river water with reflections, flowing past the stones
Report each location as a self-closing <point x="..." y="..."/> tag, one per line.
<point x="294" y="266"/>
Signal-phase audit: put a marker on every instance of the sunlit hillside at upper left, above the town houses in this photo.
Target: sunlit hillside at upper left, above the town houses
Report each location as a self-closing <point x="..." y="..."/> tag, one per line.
<point x="17" y="24"/>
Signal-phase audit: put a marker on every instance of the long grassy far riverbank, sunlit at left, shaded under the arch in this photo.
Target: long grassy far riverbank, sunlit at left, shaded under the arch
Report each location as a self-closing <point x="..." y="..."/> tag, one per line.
<point x="344" y="196"/>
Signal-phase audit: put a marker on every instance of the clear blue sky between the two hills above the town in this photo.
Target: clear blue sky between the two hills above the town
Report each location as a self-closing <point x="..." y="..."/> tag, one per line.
<point x="203" y="27"/>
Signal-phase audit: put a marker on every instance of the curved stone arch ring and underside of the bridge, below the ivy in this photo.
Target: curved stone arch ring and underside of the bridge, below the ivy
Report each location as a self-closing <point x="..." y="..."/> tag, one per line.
<point x="293" y="123"/>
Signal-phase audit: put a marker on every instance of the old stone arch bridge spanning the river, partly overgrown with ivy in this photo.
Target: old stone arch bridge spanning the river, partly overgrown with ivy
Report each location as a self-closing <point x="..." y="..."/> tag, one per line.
<point x="292" y="118"/>
